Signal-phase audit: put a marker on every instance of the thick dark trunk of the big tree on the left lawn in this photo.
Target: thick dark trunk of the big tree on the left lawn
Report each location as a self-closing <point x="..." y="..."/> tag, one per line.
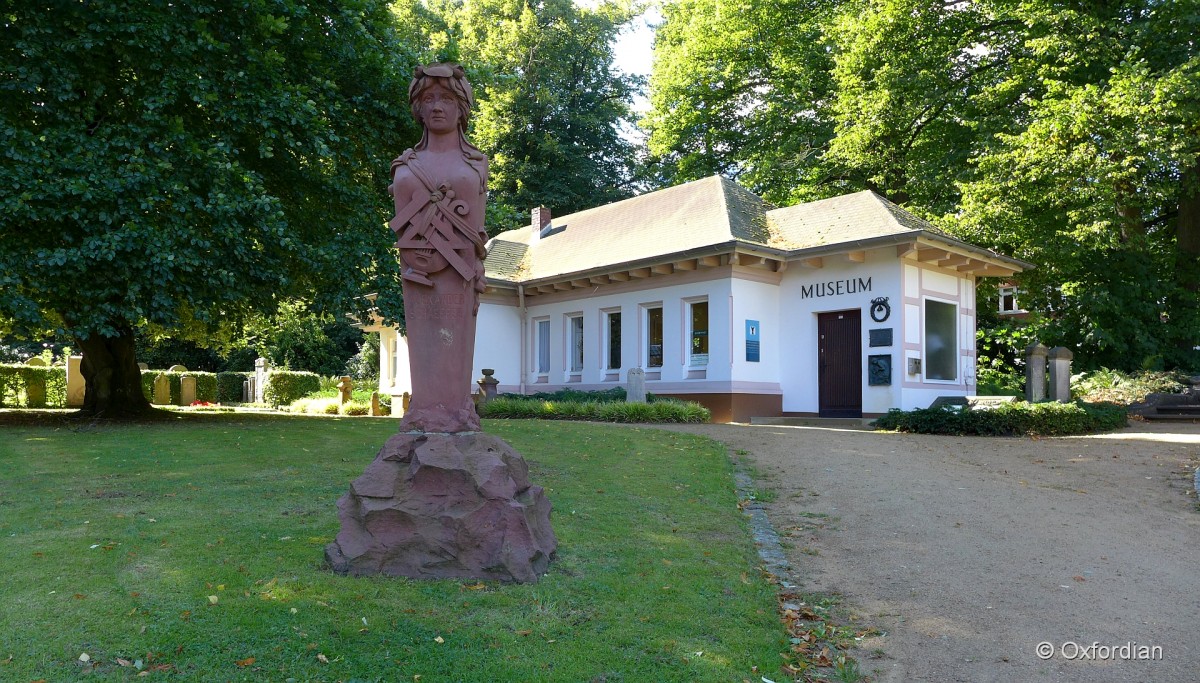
<point x="112" y="379"/>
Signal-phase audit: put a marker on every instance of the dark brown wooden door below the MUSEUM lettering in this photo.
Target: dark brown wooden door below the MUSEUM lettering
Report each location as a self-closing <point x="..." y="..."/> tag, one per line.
<point x="841" y="364"/>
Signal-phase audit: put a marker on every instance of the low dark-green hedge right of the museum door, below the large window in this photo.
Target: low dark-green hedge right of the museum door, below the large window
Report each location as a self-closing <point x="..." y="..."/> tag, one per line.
<point x="1010" y="420"/>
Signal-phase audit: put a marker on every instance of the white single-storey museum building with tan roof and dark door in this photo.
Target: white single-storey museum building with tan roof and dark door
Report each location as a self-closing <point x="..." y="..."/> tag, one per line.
<point x="843" y="308"/>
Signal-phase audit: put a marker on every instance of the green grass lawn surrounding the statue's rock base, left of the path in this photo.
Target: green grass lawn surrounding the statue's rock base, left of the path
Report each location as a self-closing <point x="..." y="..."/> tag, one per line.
<point x="194" y="549"/>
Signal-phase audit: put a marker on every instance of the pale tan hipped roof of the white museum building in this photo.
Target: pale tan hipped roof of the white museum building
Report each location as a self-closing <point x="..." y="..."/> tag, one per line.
<point x="707" y="213"/>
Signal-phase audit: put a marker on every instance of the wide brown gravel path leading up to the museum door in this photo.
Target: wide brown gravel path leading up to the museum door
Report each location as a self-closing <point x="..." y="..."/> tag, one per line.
<point x="970" y="553"/>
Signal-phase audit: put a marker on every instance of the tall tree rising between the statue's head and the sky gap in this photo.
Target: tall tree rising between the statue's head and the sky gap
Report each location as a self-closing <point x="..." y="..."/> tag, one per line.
<point x="553" y="107"/>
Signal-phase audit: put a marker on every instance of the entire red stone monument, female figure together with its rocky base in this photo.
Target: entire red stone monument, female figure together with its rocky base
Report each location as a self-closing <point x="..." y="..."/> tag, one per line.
<point x="442" y="500"/>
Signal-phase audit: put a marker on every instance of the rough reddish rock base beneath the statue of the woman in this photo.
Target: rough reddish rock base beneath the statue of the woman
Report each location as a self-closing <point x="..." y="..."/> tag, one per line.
<point x="445" y="506"/>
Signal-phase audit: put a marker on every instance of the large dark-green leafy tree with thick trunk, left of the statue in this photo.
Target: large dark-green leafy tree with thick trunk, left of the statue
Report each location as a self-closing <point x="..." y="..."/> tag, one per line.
<point x="179" y="166"/>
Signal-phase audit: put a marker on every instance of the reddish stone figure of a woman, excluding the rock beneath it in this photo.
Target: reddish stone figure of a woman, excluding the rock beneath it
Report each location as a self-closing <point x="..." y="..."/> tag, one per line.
<point x="440" y="189"/>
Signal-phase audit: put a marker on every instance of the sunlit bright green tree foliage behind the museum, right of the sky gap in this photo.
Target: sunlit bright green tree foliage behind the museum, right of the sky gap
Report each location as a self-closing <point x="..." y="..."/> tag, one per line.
<point x="1060" y="131"/>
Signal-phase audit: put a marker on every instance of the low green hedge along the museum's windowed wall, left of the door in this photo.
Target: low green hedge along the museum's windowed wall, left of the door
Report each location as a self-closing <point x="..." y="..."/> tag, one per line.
<point x="663" y="411"/>
